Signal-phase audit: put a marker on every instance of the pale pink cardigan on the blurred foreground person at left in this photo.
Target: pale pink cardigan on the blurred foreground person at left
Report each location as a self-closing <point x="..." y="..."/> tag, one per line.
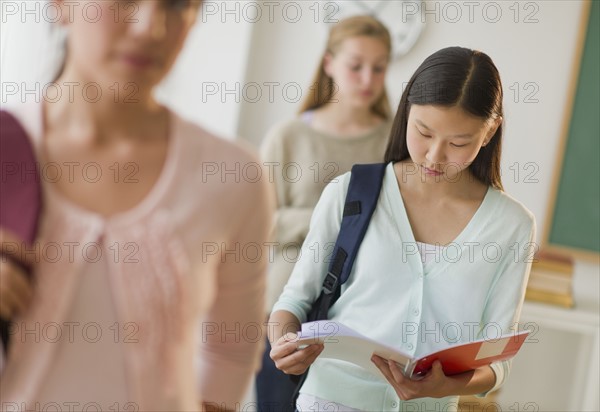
<point x="195" y="289"/>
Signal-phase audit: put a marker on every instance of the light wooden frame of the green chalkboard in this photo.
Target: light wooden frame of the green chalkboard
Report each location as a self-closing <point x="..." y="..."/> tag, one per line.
<point x="560" y="155"/>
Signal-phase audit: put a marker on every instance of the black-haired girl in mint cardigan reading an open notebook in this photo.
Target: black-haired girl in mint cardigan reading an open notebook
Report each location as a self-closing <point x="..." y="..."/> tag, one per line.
<point x="445" y="259"/>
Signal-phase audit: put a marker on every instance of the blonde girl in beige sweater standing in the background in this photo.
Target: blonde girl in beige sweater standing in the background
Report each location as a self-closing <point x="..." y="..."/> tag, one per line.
<point x="344" y="120"/>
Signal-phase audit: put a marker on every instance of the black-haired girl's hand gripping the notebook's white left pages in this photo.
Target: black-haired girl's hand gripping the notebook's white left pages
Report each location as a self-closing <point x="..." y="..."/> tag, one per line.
<point x="291" y="360"/>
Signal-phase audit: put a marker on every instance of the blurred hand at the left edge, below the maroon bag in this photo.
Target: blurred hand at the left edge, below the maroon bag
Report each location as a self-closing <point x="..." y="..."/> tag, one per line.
<point x="15" y="287"/>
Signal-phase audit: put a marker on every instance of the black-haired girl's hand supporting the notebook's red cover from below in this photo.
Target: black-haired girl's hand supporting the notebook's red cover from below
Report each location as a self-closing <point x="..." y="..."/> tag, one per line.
<point x="431" y="386"/>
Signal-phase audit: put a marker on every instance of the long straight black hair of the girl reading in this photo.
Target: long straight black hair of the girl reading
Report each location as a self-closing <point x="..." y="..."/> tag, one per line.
<point x="455" y="76"/>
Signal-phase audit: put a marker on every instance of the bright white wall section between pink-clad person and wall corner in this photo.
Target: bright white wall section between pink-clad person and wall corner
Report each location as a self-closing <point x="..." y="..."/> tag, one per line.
<point x="212" y="62"/>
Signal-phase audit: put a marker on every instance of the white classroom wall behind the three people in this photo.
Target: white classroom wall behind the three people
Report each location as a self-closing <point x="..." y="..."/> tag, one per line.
<point x="232" y="49"/>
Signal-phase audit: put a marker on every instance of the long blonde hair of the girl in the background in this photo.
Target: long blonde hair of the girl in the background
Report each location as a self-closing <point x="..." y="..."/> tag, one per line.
<point x="323" y="89"/>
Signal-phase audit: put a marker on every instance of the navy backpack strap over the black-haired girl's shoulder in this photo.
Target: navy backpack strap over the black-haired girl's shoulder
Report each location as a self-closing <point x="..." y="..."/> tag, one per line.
<point x="361" y="200"/>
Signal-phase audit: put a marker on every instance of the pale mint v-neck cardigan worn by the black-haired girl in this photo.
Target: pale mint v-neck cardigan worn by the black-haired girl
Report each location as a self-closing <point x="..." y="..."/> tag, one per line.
<point x="474" y="290"/>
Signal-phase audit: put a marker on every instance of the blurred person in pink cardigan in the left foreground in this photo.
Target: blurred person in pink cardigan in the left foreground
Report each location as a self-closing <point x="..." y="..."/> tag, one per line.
<point x="156" y="286"/>
